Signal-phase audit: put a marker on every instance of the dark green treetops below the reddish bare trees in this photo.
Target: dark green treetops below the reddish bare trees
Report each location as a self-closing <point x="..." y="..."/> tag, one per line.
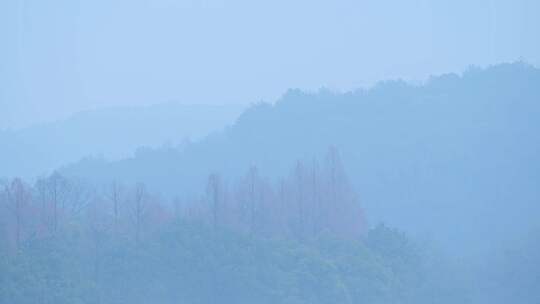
<point x="191" y="263"/>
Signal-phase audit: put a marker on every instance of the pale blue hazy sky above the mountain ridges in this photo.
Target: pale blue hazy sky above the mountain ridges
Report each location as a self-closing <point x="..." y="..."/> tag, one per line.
<point x="62" y="56"/>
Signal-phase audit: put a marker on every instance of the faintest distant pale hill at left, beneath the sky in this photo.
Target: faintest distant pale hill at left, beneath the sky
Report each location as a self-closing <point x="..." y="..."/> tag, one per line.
<point x="112" y="133"/>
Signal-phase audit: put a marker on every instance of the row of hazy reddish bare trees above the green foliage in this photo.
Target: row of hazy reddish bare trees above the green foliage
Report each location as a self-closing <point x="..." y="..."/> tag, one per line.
<point x="316" y="198"/>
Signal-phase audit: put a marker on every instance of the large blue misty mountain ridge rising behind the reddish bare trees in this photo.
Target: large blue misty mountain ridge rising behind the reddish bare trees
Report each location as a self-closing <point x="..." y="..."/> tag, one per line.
<point x="458" y="156"/>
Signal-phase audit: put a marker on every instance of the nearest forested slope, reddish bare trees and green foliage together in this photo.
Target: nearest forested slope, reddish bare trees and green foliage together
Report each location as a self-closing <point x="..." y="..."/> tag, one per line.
<point x="64" y="241"/>
